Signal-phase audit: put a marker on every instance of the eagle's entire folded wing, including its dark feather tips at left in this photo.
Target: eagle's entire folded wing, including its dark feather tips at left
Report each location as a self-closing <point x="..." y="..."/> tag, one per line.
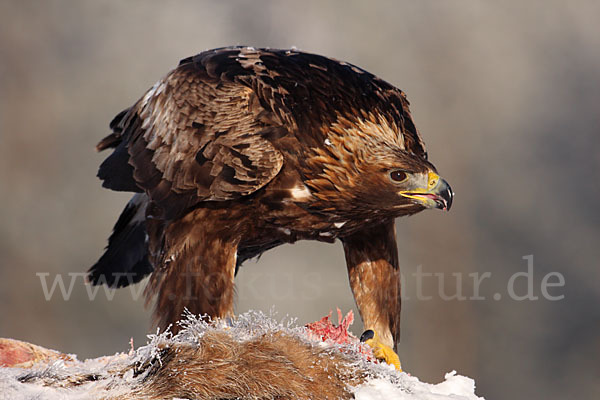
<point x="196" y="135"/>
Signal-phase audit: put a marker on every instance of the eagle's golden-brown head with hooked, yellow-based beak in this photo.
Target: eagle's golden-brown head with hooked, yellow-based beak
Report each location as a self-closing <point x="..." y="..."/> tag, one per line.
<point x="374" y="167"/>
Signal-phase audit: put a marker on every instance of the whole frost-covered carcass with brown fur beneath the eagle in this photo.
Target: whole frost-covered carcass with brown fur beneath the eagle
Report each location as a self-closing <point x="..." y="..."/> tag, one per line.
<point x="250" y="357"/>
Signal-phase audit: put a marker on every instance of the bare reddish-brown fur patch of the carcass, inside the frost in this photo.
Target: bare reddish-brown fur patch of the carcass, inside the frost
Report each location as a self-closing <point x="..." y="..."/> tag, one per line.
<point x="275" y="366"/>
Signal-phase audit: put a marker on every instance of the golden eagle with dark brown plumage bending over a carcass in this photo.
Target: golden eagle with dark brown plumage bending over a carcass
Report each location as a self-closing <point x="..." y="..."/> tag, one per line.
<point x="239" y="150"/>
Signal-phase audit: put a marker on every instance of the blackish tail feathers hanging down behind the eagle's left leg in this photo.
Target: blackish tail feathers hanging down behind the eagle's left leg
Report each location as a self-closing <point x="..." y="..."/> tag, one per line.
<point x="125" y="260"/>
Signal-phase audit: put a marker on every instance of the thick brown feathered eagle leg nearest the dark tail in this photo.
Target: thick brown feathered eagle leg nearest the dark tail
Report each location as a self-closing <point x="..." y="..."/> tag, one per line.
<point x="195" y="265"/>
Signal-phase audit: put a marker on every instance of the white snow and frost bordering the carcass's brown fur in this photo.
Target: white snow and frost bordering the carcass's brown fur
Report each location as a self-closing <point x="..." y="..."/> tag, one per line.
<point x="49" y="381"/>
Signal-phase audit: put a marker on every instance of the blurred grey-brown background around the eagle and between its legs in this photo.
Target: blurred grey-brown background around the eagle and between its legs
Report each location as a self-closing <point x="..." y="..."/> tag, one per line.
<point x="505" y="93"/>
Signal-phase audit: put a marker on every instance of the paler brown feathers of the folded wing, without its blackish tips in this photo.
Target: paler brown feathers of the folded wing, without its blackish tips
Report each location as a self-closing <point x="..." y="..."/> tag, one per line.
<point x="188" y="117"/>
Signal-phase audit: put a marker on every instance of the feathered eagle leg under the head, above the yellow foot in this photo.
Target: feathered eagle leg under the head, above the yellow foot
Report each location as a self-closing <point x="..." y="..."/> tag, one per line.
<point x="372" y="261"/>
